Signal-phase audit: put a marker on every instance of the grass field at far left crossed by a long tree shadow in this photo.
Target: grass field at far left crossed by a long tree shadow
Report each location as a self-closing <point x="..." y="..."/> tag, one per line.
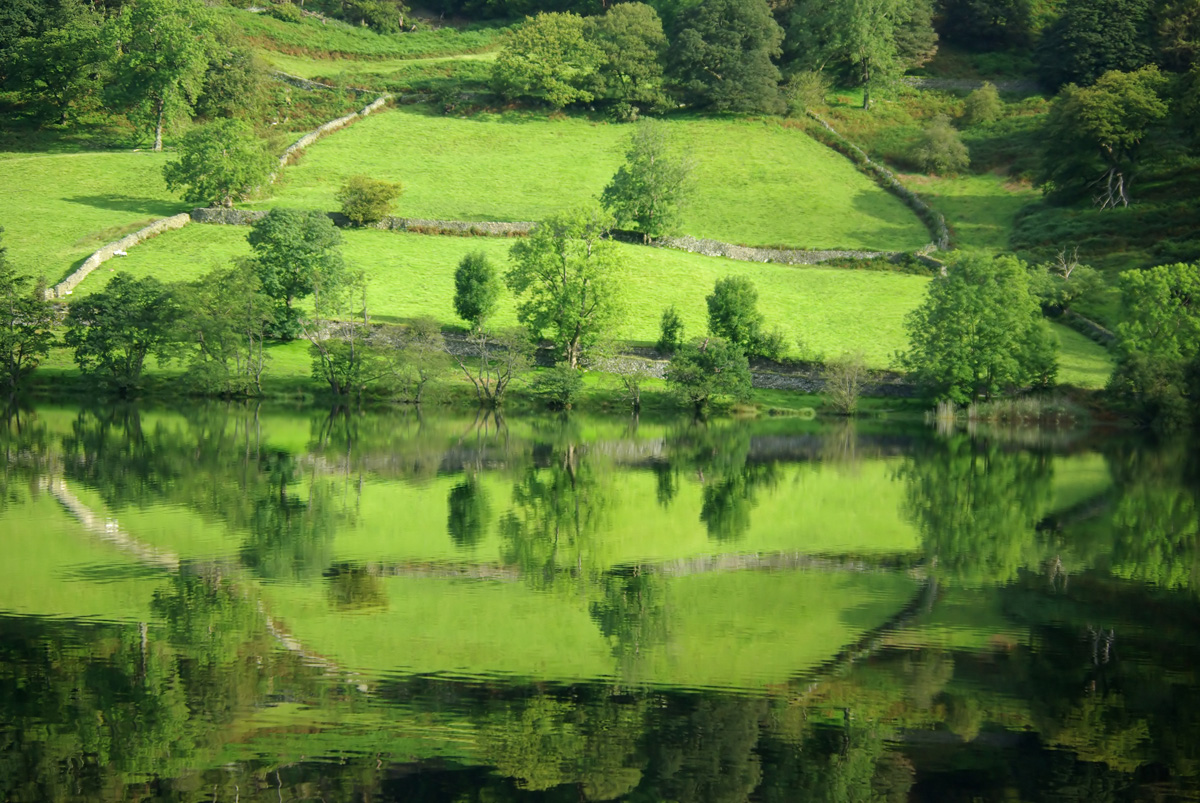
<point x="57" y="209"/>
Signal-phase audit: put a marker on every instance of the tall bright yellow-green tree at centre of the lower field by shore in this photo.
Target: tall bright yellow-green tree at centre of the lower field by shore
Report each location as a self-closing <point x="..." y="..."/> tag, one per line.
<point x="567" y="278"/>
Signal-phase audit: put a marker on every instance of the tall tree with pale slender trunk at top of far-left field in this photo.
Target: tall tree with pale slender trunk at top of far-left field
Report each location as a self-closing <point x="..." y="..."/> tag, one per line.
<point x="164" y="56"/>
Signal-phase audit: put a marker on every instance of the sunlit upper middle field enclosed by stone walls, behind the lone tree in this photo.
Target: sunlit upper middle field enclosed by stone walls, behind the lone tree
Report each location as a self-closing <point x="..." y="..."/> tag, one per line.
<point x="758" y="182"/>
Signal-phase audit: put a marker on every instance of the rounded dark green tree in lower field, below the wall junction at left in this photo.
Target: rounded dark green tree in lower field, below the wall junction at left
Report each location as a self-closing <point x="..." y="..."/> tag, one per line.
<point x="297" y="254"/>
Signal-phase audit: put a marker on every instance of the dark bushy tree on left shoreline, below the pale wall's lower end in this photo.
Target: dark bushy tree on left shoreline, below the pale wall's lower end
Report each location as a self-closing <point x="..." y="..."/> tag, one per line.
<point x="116" y="331"/>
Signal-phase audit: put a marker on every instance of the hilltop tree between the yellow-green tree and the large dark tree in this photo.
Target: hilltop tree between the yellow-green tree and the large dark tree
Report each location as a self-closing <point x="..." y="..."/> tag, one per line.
<point x="632" y="40"/>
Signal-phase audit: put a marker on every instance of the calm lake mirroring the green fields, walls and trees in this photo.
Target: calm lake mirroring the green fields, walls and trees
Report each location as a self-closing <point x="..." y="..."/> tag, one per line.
<point x="231" y="604"/>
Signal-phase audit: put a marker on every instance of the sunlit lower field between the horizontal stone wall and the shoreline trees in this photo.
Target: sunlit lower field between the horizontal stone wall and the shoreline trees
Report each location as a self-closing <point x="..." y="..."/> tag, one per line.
<point x="412" y="275"/>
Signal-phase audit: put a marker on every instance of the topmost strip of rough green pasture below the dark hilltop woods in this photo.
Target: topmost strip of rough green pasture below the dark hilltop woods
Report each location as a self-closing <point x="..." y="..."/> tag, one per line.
<point x="335" y="39"/>
